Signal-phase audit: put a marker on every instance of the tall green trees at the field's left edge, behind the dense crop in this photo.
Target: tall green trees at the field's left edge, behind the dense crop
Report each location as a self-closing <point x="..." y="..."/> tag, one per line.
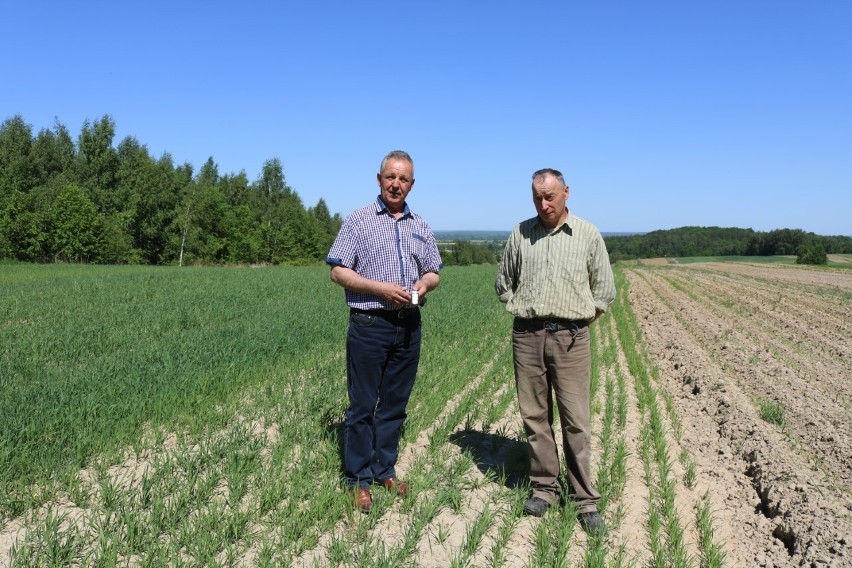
<point x="91" y="201"/>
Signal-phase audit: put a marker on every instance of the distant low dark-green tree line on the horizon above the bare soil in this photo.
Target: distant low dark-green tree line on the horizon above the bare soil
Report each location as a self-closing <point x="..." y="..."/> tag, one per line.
<point x="717" y="241"/>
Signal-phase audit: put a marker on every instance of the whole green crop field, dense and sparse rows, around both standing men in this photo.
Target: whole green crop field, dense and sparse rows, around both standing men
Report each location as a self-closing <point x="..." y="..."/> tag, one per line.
<point x="190" y="416"/>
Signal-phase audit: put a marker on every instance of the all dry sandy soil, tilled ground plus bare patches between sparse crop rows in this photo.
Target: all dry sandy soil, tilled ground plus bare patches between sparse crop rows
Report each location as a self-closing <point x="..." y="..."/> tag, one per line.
<point x="726" y="340"/>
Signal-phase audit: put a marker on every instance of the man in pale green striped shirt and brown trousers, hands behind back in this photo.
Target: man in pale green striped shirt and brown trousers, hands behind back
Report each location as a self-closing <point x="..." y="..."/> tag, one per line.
<point x="555" y="278"/>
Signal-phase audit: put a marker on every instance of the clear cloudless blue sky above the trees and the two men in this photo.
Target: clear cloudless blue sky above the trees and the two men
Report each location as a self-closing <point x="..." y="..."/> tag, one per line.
<point x="660" y="114"/>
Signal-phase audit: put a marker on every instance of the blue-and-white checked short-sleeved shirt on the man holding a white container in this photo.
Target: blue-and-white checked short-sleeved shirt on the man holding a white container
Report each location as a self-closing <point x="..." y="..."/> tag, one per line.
<point x="377" y="246"/>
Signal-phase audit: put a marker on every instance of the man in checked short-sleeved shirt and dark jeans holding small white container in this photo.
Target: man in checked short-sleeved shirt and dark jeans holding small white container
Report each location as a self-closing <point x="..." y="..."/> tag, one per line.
<point x="386" y="259"/>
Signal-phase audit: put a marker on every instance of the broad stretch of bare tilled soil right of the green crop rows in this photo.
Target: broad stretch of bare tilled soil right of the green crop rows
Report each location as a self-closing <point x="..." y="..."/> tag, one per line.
<point x="731" y="341"/>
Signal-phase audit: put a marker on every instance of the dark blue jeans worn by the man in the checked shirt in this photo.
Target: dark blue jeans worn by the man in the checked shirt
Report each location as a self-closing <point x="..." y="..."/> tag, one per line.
<point x="382" y="354"/>
